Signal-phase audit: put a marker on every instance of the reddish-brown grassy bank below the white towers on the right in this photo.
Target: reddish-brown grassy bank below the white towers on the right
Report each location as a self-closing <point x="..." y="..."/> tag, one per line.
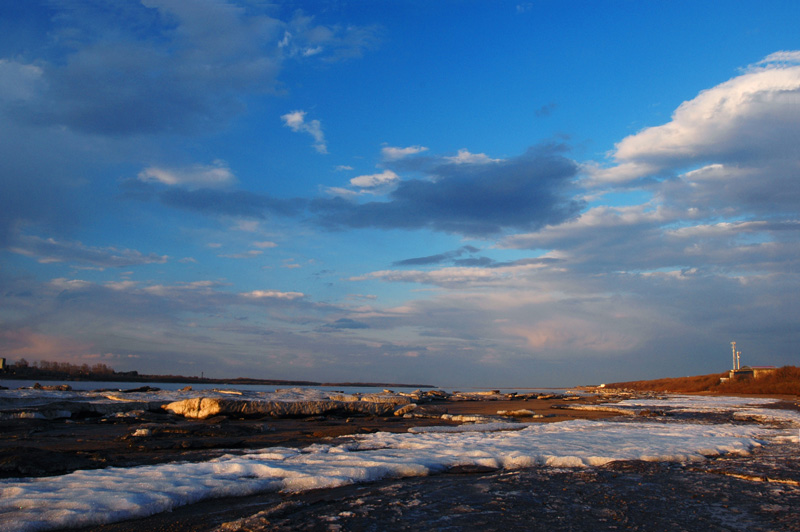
<point x="783" y="381"/>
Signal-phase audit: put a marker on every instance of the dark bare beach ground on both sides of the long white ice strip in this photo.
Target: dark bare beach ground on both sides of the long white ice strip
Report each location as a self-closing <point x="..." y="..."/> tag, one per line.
<point x="731" y="492"/>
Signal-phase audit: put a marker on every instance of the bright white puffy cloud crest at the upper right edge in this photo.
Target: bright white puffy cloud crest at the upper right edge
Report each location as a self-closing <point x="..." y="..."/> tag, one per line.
<point x="752" y="118"/>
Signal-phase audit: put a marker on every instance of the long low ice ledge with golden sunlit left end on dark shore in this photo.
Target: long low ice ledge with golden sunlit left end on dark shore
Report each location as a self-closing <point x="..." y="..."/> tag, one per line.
<point x="205" y="407"/>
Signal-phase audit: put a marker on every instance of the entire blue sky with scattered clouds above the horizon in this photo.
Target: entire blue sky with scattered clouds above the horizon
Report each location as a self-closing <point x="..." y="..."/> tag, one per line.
<point x="455" y="193"/>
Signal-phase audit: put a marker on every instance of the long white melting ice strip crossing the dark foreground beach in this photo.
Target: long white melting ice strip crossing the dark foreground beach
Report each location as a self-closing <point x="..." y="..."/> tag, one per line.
<point x="99" y="496"/>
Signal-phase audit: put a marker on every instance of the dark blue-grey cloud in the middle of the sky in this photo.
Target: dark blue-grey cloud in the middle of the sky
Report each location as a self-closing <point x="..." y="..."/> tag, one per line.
<point x="528" y="191"/>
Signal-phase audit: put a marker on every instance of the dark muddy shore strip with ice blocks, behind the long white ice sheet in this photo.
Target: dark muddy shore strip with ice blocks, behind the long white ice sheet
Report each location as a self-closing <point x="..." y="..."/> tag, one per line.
<point x="59" y="436"/>
